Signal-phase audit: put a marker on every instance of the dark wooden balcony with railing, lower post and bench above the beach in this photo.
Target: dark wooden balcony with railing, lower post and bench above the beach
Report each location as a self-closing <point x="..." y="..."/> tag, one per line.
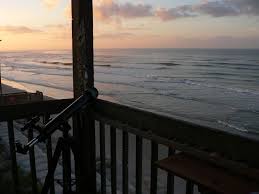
<point x="123" y="149"/>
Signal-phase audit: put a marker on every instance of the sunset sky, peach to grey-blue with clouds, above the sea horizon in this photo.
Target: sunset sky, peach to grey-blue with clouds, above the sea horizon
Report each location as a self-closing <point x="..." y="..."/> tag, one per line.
<point x="46" y="24"/>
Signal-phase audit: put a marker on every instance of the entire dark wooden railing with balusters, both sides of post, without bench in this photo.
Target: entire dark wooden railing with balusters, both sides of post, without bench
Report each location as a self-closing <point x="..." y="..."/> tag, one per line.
<point x="121" y="131"/>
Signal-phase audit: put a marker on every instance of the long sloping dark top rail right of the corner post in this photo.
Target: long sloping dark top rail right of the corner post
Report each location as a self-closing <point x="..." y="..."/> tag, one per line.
<point x="232" y="146"/>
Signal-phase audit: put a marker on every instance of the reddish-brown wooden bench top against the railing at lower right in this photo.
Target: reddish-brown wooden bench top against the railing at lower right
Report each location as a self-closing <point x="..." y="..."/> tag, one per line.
<point x="208" y="176"/>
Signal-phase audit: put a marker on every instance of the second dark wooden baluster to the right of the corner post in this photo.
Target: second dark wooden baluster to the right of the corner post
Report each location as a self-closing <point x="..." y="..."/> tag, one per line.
<point x="113" y="160"/>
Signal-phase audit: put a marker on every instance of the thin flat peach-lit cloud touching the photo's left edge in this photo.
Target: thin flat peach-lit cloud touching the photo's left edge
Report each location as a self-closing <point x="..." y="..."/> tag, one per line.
<point x="18" y="29"/>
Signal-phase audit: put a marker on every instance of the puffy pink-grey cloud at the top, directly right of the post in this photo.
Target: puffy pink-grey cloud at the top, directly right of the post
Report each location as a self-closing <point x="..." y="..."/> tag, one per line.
<point x="108" y="9"/>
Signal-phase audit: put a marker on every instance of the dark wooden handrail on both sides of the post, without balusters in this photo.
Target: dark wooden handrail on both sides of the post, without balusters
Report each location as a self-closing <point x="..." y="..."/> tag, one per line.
<point x="175" y="133"/>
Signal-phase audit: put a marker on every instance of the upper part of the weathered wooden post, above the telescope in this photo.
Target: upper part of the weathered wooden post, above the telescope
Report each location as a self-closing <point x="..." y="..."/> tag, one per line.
<point x="82" y="35"/>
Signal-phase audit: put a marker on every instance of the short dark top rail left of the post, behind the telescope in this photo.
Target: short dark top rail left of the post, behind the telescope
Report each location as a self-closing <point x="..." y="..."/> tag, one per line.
<point x="21" y="111"/>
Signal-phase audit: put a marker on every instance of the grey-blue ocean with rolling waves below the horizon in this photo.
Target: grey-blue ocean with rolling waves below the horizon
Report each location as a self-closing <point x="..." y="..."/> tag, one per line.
<point x="213" y="87"/>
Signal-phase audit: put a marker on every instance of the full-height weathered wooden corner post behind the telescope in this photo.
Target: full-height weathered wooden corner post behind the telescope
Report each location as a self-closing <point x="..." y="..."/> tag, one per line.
<point x="83" y="78"/>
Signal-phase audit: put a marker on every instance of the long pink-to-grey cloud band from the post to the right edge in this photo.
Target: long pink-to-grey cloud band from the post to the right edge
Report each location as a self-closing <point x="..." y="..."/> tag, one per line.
<point x="111" y="10"/>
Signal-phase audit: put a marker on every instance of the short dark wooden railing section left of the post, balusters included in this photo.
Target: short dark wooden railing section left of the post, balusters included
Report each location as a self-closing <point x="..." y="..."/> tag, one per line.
<point x="11" y="113"/>
